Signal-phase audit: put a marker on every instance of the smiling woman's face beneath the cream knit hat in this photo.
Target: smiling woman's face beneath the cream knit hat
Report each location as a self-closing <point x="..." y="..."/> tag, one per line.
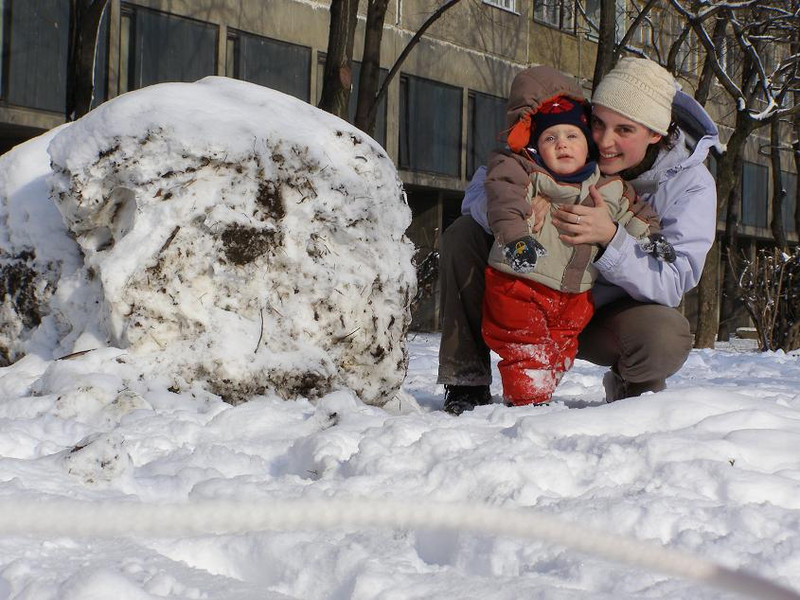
<point x="622" y="143"/>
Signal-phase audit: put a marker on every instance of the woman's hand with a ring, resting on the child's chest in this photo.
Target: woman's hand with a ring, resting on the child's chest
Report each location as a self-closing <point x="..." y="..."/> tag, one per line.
<point x="585" y="224"/>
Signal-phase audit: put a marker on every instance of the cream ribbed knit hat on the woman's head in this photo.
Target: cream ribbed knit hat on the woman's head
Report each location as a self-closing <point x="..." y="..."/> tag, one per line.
<point x="641" y="90"/>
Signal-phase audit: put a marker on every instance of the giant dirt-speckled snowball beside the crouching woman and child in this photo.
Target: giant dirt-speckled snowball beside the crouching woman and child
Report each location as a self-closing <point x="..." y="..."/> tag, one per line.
<point x="241" y="238"/>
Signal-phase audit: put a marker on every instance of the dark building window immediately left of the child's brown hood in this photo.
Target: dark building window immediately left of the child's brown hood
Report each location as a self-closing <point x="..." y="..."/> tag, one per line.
<point x="486" y="119"/>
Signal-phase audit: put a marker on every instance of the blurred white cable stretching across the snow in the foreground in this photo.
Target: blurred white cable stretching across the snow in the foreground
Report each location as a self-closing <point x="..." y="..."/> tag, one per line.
<point x="106" y="519"/>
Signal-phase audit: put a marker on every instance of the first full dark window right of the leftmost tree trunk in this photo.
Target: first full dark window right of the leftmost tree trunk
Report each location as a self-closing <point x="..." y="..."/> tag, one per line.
<point x="157" y="47"/>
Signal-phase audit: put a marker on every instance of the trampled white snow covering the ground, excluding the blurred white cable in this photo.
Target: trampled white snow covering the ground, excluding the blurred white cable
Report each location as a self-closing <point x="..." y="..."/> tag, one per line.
<point x="709" y="467"/>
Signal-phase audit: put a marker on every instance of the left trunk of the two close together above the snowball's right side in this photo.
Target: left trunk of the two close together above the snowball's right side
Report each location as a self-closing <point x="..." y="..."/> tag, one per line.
<point x="338" y="78"/>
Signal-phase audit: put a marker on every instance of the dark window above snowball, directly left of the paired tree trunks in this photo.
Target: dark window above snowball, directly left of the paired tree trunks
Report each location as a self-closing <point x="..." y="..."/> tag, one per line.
<point x="278" y="65"/>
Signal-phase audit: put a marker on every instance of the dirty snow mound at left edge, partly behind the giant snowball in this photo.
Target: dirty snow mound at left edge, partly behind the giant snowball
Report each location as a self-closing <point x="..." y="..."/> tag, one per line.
<point x="42" y="297"/>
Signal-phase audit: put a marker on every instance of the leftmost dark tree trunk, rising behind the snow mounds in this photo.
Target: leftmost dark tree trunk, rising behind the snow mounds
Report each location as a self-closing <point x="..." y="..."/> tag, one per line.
<point x="84" y="28"/>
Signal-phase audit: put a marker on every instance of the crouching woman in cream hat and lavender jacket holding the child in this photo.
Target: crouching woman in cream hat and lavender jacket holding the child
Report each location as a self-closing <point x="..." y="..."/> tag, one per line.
<point x="636" y="329"/>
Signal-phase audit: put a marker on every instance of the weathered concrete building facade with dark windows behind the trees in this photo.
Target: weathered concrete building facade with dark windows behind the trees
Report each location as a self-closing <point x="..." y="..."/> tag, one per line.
<point x="440" y="118"/>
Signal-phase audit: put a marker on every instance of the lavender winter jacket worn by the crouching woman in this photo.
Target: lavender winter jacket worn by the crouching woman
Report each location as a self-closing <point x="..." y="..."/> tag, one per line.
<point x="683" y="193"/>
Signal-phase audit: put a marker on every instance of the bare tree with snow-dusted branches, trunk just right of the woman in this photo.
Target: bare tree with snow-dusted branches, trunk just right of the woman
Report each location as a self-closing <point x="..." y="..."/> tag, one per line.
<point x="758" y="90"/>
